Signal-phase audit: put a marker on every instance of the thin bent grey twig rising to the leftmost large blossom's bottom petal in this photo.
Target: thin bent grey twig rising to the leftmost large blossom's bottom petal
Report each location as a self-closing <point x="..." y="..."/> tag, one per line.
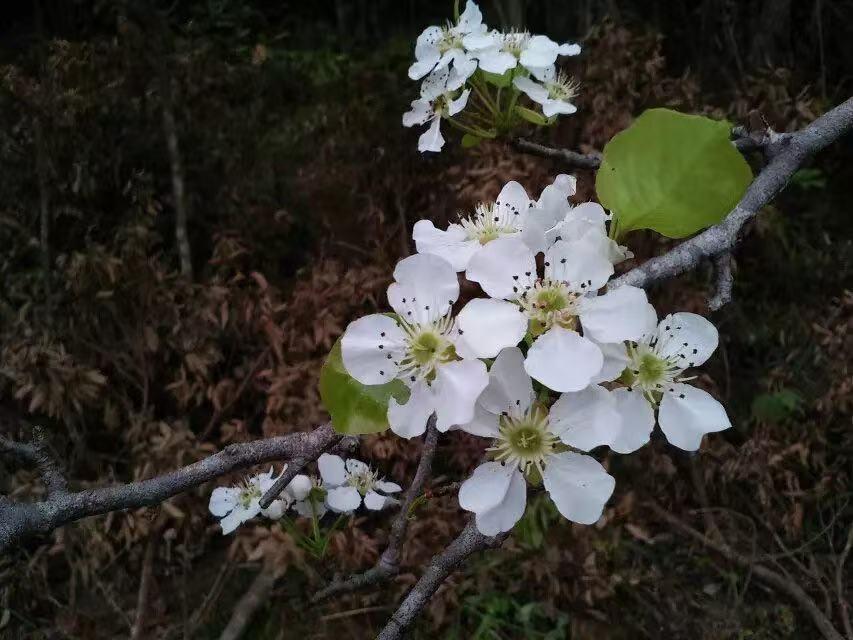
<point x="389" y="562"/>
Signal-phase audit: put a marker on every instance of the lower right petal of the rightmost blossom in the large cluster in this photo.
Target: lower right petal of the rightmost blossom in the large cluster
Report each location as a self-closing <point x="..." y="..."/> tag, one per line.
<point x="687" y="413"/>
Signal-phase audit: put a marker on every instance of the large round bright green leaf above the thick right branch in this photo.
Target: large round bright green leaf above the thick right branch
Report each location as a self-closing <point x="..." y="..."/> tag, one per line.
<point x="671" y="172"/>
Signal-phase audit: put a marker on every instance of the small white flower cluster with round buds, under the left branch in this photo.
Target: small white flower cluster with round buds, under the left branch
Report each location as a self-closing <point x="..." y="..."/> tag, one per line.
<point x="341" y="487"/>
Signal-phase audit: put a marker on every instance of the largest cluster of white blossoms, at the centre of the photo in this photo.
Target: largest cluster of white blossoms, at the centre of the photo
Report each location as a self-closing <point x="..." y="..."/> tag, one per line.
<point x="548" y="364"/>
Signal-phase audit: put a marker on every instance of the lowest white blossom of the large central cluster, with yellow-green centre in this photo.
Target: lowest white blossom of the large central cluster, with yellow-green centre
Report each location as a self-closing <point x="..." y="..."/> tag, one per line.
<point x="528" y="442"/>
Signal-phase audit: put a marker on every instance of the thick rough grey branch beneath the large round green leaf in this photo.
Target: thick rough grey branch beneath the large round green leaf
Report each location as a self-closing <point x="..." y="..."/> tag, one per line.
<point x="786" y="154"/>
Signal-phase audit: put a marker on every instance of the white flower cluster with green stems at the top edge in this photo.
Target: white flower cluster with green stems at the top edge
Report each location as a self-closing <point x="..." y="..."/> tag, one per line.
<point x="473" y="77"/>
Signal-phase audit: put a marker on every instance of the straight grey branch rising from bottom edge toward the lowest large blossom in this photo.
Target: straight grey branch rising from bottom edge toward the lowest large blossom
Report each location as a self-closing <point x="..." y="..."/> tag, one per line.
<point x="440" y="567"/>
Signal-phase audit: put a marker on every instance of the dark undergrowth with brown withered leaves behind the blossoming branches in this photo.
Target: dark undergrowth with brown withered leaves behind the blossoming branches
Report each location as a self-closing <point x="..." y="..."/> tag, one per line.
<point x="301" y="191"/>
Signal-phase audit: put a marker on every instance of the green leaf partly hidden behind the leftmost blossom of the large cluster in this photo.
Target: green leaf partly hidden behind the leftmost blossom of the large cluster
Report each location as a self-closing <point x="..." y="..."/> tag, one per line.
<point x="354" y="407"/>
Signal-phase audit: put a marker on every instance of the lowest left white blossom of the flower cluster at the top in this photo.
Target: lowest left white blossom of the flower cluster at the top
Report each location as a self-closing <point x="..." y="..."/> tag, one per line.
<point x="437" y="101"/>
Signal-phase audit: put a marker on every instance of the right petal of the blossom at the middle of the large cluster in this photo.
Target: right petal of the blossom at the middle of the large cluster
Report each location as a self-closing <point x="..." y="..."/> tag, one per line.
<point x="620" y="314"/>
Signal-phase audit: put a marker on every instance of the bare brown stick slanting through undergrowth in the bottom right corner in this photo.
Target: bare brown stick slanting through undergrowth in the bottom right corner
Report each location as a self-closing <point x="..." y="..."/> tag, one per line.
<point x="767" y="576"/>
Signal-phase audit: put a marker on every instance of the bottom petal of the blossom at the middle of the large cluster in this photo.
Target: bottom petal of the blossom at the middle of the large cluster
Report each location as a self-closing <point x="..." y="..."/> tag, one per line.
<point x="563" y="361"/>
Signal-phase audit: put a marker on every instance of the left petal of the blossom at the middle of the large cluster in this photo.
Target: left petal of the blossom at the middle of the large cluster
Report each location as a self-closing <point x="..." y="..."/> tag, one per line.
<point x="489" y="325"/>
